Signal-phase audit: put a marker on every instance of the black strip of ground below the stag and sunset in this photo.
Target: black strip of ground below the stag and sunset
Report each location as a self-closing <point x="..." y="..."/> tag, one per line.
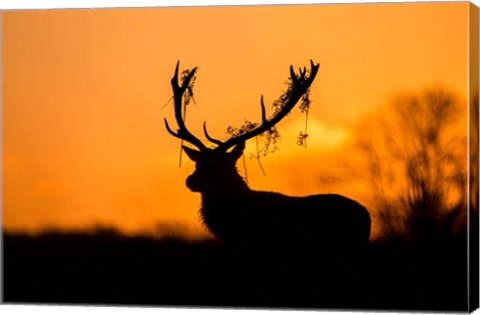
<point x="105" y="267"/>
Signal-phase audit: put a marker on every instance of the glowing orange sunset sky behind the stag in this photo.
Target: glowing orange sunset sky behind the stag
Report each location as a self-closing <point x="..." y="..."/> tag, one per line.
<point x="83" y="135"/>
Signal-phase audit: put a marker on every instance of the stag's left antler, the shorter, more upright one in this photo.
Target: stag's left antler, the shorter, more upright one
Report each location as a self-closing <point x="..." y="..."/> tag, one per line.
<point x="182" y="132"/>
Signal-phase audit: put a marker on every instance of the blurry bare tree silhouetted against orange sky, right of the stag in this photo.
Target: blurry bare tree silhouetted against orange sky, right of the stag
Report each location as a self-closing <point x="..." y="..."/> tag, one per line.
<point x="416" y="157"/>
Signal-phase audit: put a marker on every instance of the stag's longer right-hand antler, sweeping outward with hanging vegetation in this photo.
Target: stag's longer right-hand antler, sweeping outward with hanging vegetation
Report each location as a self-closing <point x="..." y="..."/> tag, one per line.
<point x="299" y="86"/>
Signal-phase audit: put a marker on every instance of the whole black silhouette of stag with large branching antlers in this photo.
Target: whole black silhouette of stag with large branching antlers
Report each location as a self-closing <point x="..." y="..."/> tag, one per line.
<point x="239" y="216"/>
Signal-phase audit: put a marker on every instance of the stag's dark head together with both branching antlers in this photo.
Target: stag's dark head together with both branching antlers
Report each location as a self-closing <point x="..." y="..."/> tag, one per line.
<point x="216" y="166"/>
